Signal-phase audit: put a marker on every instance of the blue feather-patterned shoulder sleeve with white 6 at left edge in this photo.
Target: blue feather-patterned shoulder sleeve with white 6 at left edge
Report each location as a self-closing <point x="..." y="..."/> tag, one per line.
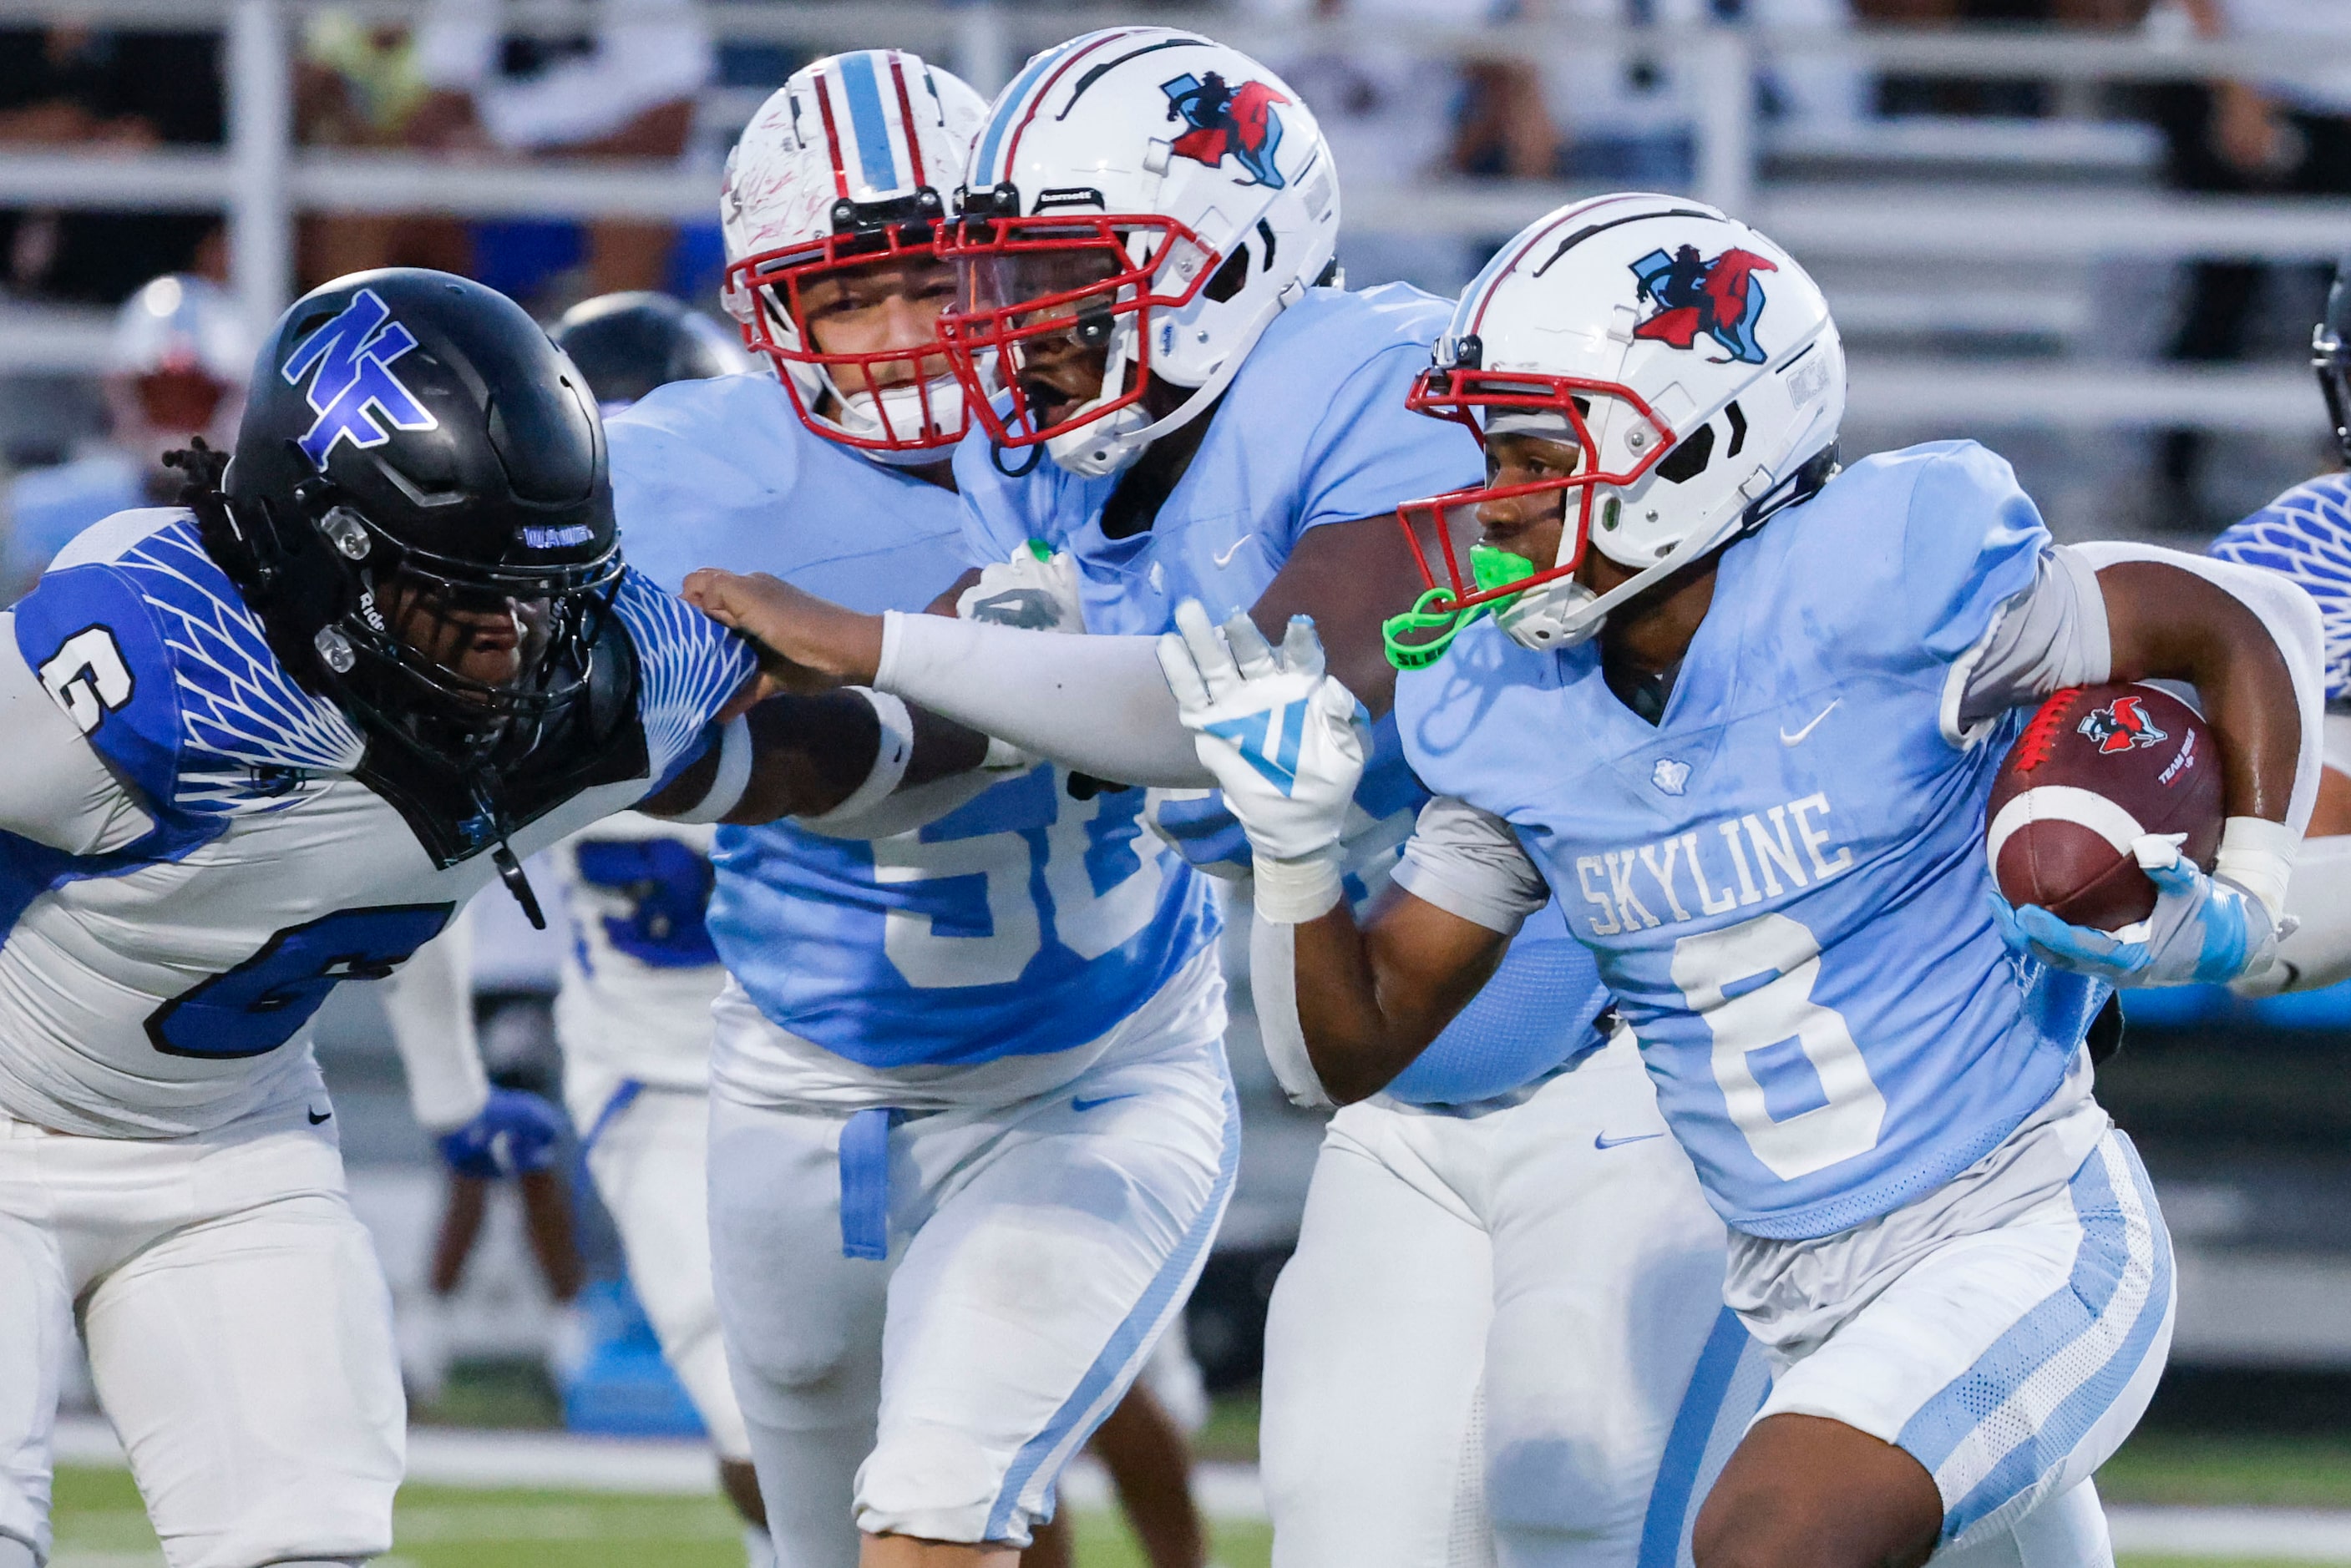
<point x="170" y="676"/>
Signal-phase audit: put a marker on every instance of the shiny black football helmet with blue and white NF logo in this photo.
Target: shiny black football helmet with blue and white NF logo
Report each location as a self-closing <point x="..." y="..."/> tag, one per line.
<point x="420" y="514"/>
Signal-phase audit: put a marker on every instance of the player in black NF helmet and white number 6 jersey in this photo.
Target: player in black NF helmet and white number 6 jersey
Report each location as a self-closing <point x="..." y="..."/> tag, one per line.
<point x="262" y="744"/>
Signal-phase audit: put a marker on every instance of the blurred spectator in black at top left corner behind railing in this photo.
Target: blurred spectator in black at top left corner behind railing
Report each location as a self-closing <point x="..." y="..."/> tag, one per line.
<point x="76" y="86"/>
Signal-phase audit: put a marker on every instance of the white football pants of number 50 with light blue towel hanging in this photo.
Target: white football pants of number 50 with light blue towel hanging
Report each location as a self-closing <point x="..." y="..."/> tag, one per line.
<point x="1036" y="1252"/>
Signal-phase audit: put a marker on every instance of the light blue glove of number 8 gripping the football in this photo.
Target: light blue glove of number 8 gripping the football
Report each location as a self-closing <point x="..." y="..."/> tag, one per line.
<point x="2204" y="932"/>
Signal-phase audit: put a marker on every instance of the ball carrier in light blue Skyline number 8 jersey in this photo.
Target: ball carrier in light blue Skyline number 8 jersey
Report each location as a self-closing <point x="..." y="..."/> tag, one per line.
<point x="1741" y="713"/>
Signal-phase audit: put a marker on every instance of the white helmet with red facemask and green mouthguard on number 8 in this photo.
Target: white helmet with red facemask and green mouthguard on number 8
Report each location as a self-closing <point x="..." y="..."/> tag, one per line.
<point x="1689" y="361"/>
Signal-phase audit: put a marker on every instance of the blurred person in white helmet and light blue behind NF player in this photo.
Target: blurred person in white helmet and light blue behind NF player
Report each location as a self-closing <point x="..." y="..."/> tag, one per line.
<point x="175" y="368"/>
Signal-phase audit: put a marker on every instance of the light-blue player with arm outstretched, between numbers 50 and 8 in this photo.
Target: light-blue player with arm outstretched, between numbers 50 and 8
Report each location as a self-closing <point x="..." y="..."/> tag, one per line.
<point x="1193" y="410"/>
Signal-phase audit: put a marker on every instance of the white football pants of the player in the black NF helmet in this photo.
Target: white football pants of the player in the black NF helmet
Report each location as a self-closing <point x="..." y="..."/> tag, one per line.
<point x="239" y="1334"/>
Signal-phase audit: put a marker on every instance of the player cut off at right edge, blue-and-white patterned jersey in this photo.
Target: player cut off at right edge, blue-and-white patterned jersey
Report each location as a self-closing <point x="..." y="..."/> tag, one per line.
<point x="2308" y="537"/>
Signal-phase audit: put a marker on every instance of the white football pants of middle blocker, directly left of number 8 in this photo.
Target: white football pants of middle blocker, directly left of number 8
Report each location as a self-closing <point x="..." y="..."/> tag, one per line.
<point x="1503" y="1339"/>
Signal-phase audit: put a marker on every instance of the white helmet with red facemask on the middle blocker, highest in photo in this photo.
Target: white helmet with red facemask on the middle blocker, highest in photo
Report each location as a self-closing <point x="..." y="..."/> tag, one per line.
<point x="1144" y="194"/>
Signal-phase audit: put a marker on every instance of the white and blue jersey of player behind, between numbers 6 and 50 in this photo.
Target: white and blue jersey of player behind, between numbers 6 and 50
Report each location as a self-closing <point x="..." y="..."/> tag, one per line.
<point x="641" y="970"/>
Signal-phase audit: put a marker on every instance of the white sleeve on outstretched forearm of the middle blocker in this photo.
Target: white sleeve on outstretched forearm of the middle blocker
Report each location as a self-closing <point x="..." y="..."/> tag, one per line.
<point x="1099" y="704"/>
